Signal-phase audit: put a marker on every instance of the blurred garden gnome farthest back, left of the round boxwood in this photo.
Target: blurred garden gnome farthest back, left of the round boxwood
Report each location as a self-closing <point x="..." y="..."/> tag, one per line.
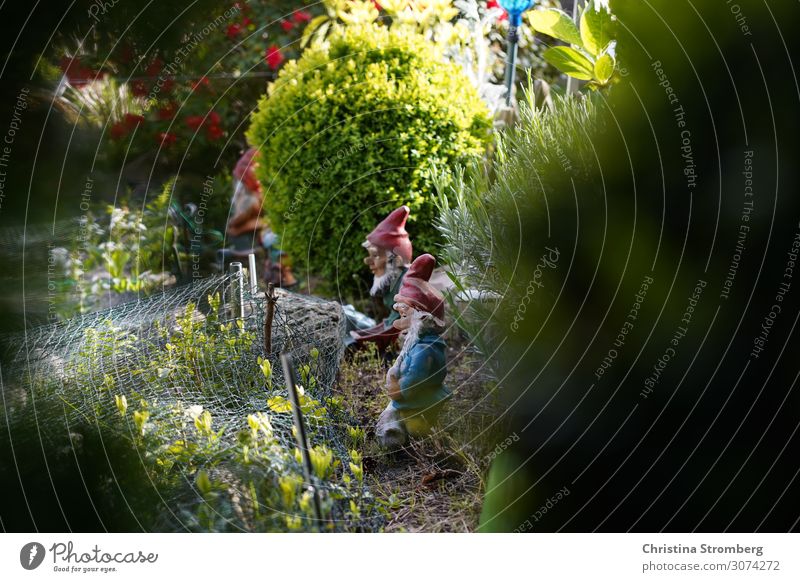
<point x="246" y="230"/>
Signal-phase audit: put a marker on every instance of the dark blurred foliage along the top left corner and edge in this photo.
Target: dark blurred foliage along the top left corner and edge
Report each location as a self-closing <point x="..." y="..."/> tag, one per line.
<point x="49" y="159"/>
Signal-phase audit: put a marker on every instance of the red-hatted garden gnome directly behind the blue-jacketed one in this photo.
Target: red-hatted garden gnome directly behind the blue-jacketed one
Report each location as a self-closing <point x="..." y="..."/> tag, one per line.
<point x="390" y="253"/>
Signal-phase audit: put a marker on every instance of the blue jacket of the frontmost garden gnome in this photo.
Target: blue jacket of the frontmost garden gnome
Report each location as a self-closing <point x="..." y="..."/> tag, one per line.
<point x="421" y="374"/>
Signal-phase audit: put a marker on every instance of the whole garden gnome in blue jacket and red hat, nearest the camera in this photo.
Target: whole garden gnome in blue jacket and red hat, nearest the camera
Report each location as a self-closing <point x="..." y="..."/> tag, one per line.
<point x="415" y="383"/>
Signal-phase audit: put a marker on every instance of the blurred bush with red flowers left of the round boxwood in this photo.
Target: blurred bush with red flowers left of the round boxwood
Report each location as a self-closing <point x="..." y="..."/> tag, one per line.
<point x="186" y="102"/>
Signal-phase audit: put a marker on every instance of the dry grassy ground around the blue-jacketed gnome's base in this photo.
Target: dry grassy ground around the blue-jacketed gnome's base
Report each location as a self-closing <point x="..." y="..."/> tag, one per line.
<point x="434" y="484"/>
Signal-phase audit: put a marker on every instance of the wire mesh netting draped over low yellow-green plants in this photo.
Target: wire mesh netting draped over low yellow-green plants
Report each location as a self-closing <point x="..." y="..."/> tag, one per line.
<point x="189" y="386"/>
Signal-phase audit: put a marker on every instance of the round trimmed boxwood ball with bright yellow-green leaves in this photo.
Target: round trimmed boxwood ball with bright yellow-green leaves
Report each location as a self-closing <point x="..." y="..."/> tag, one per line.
<point x="348" y="132"/>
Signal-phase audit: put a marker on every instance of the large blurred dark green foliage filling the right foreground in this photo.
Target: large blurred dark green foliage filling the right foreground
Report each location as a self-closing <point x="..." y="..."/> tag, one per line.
<point x="714" y="446"/>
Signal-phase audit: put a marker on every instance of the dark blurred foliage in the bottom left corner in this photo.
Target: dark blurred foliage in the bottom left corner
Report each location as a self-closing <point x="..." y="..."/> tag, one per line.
<point x="79" y="478"/>
